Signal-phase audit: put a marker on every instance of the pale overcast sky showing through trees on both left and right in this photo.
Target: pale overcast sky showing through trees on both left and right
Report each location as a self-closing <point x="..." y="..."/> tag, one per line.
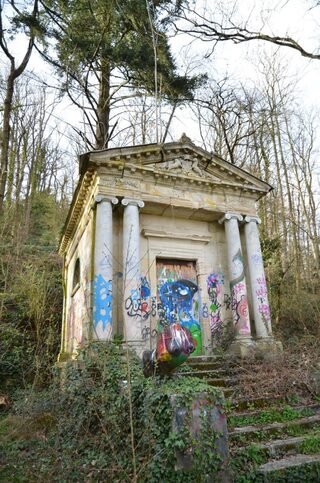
<point x="242" y="62"/>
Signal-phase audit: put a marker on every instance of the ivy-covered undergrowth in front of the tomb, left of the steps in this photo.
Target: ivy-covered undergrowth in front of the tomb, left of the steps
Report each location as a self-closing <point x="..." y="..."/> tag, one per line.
<point x="108" y="423"/>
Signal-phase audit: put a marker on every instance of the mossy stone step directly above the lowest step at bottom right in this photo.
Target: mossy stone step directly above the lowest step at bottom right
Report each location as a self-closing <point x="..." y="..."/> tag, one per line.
<point x="267" y="430"/>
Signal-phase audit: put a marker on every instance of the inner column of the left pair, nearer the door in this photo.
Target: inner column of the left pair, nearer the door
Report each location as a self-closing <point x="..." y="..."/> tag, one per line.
<point x="131" y="273"/>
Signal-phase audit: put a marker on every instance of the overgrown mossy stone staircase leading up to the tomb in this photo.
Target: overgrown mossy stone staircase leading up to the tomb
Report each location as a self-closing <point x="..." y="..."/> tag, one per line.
<point x="271" y="439"/>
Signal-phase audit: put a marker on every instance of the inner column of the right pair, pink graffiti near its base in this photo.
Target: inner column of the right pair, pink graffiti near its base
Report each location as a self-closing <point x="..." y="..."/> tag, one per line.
<point x="238" y="288"/>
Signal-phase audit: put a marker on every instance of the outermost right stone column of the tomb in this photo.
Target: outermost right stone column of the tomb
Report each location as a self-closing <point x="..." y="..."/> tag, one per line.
<point x="260" y="304"/>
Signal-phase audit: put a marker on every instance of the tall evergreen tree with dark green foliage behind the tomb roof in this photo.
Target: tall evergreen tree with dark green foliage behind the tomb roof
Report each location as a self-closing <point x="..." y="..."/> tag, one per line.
<point x="105" y="45"/>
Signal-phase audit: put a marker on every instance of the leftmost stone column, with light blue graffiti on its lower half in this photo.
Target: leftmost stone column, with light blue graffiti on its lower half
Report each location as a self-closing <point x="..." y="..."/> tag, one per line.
<point x="102" y="282"/>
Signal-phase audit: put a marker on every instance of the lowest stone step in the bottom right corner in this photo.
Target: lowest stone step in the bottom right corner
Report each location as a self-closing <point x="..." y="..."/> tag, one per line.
<point x="290" y="462"/>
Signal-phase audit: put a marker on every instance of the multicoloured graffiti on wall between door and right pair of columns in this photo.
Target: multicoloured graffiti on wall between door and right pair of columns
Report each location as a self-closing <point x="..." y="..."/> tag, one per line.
<point x="215" y="283"/>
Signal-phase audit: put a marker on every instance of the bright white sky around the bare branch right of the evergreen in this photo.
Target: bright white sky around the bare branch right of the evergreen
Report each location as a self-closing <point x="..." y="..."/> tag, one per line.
<point x="241" y="61"/>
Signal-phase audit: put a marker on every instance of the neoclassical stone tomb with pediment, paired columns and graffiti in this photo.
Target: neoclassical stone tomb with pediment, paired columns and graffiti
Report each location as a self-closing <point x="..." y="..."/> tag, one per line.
<point x="163" y="232"/>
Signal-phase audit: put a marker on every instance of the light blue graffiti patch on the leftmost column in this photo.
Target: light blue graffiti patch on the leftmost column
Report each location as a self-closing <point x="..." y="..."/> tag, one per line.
<point x="102" y="301"/>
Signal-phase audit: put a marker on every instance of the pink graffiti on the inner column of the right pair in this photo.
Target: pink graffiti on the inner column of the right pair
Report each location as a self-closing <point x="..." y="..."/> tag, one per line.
<point x="239" y="301"/>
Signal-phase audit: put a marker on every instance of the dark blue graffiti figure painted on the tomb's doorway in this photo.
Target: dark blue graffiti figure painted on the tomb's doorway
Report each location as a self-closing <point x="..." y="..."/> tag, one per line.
<point x="176" y="302"/>
